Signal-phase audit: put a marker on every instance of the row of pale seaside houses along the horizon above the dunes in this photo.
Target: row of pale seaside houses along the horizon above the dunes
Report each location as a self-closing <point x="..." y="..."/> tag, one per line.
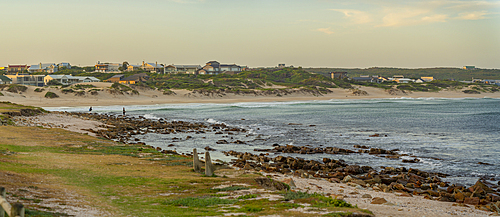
<point x="43" y="73"/>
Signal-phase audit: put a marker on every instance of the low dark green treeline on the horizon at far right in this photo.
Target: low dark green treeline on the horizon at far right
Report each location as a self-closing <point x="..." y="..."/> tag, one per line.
<point x="438" y="73"/>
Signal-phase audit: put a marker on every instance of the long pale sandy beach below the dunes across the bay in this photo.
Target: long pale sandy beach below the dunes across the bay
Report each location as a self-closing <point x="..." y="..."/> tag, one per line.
<point x="152" y="97"/>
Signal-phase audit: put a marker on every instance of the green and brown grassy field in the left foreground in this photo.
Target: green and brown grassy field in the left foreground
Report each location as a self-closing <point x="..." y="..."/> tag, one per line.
<point x="49" y="170"/>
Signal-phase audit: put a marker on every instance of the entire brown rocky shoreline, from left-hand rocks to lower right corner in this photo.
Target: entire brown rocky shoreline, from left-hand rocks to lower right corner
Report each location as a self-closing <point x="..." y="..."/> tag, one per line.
<point x="484" y="195"/>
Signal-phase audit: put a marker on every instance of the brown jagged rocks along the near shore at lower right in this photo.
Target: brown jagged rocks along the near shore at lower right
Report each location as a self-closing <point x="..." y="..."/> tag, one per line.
<point x="406" y="182"/>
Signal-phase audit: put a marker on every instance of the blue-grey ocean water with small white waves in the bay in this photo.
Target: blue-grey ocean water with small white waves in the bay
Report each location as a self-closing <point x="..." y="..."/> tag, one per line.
<point x="450" y="136"/>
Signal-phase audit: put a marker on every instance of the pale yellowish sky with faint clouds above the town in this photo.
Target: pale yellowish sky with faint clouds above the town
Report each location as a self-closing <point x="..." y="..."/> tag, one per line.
<point x="307" y="33"/>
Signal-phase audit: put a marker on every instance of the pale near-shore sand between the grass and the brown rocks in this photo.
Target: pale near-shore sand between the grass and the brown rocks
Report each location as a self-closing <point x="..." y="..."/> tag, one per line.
<point x="397" y="204"/>
